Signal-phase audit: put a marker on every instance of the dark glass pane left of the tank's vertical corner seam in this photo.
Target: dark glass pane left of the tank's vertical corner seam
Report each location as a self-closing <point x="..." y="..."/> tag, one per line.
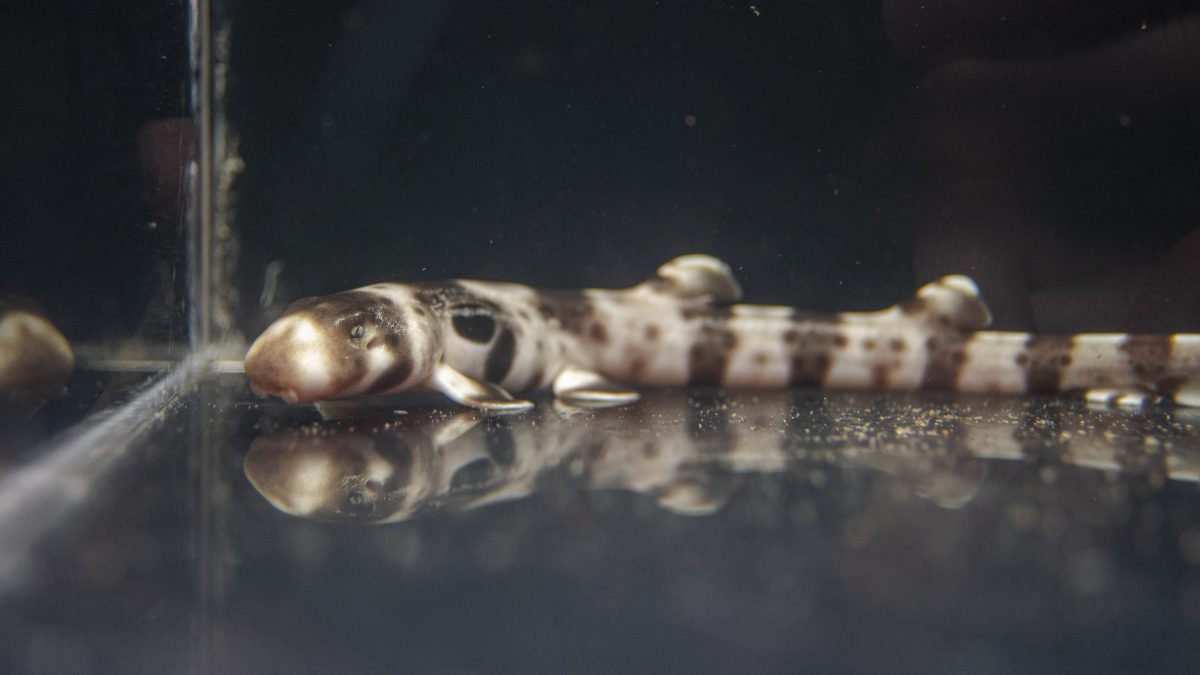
<point x="94" y="141"/>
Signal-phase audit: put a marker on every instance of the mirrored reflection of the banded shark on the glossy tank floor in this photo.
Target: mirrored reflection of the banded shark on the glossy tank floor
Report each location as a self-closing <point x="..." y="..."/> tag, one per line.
<point x="688" y="453"/>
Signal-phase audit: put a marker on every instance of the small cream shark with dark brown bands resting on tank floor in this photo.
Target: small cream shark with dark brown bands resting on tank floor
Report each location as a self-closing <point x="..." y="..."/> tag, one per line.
<point x="477" y="342"/>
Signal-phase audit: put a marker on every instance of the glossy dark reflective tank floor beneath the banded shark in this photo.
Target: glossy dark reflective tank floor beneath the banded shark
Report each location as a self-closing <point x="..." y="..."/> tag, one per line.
<point x="693" y="531"/>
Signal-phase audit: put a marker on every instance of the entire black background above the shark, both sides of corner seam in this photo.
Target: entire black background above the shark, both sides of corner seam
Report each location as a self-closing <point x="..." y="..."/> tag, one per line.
<point x="837" y="154"/>
